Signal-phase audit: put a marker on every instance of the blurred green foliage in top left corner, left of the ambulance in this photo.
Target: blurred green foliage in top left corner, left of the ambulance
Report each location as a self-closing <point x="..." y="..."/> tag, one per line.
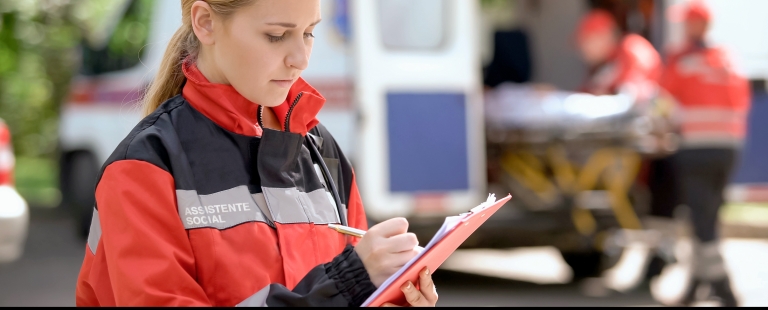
<point x="38" y="54"/>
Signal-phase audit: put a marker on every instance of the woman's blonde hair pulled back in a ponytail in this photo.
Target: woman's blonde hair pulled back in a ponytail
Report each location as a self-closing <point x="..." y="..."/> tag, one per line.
<point x="170" y="79"/>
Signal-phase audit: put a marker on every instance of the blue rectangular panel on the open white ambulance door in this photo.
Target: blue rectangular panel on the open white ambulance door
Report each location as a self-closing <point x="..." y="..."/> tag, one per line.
<point x="427" y="142"/>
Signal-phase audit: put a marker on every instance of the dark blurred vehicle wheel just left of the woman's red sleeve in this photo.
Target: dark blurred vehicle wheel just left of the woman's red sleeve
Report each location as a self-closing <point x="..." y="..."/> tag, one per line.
<point x="78" y="193"/>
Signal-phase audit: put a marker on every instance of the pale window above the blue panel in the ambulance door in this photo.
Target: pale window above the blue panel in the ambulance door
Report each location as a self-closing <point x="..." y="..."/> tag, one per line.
<point x="412" y="24"/>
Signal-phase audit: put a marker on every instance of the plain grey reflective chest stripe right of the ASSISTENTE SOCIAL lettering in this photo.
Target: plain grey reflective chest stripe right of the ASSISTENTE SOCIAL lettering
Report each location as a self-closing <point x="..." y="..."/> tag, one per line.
<point x="290" y="206"/>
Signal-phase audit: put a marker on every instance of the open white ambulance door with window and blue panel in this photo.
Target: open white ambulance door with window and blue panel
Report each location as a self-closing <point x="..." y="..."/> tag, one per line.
<point x="420" y="145"/>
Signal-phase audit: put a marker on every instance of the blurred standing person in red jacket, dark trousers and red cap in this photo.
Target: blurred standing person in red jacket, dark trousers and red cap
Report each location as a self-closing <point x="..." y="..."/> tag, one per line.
<point x="714" y="100"/>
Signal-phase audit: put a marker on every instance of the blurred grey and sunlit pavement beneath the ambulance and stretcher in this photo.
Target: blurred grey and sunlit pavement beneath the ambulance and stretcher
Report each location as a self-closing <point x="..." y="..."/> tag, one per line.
<point x="46" y="274"/>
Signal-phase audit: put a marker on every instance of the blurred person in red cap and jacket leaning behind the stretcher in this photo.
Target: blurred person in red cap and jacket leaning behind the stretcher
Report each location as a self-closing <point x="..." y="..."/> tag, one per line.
<point x="627" y="64"/>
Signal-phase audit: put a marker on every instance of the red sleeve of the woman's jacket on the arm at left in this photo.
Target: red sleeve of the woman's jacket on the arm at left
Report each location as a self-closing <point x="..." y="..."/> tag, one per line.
<point x="148" y="255"/>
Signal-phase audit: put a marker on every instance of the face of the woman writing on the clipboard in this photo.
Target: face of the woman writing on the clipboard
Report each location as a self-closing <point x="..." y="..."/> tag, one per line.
<point x="261" y="49"/>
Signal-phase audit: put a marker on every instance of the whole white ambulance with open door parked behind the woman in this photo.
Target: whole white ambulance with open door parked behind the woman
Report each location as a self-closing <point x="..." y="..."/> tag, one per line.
<point x="404" y="81"/>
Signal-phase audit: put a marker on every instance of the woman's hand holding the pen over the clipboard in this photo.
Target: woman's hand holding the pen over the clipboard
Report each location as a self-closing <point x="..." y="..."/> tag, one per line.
<point x="385" y="248"/>
